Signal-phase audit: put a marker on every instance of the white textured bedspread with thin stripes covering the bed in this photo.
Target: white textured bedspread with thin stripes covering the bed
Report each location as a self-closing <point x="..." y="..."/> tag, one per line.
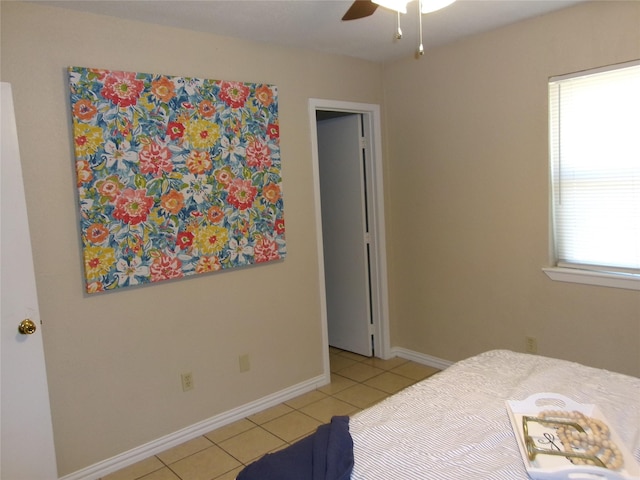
<point x="455" y="425"/>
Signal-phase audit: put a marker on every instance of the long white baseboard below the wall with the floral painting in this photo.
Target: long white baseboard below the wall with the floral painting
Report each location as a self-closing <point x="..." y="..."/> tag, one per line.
<point x="113" y="464"/>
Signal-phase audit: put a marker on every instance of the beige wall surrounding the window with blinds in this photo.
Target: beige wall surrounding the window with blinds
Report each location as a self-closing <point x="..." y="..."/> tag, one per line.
<point x="468" y="194"/>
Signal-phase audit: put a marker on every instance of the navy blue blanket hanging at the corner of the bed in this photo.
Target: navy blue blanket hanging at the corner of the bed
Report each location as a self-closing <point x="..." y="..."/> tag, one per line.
<point x="327" y="454"/>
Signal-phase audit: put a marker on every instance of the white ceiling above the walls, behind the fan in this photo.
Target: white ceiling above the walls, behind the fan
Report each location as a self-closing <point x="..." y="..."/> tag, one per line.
<point x="317" y="24"/>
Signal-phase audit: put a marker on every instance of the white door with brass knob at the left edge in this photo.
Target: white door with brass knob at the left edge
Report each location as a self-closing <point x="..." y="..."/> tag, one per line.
<point x="27" y="451"/>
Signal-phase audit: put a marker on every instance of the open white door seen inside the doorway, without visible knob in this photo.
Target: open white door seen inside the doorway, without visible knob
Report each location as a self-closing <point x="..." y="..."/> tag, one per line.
<point x="344" y="233"/>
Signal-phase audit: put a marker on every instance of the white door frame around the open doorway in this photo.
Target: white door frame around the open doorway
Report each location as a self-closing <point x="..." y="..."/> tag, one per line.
<point x="379" y="289"/>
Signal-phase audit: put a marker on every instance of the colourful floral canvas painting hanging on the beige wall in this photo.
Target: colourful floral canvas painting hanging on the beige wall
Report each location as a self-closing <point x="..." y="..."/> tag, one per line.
<point x="176" y="176"/>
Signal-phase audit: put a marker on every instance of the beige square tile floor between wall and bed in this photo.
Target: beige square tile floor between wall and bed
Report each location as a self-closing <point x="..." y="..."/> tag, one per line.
<point x="357" y="382"/>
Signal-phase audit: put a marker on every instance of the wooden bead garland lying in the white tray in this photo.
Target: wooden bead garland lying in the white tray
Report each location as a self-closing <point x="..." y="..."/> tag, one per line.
<point x="594" y="440"/>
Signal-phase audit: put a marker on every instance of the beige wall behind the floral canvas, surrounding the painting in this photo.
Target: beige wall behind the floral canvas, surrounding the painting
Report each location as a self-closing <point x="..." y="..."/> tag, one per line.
<point x="114" y="360"/>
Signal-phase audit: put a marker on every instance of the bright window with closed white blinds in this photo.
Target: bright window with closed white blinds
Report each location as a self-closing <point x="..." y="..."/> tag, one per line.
<point x="595" y="173"/>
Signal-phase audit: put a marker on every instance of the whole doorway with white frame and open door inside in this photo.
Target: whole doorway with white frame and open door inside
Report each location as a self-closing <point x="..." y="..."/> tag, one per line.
<point x="358" y="307"/>
